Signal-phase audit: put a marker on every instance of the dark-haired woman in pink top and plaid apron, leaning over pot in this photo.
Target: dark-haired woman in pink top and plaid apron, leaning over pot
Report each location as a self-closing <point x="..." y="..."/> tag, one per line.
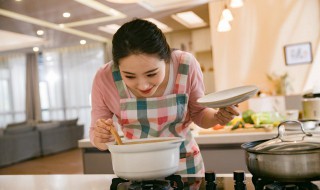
<point x="153" y="92"/>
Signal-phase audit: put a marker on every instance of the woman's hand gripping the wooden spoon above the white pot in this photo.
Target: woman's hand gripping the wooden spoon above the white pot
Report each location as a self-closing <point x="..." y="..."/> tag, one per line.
<point x="102" y="133"/>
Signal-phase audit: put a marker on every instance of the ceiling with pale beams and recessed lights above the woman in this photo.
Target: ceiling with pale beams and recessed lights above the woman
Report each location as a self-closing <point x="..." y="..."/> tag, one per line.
<point x="25" y="17"/>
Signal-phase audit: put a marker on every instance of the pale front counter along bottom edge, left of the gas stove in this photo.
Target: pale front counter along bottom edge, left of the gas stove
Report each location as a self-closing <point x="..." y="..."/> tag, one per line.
<point x="81" y="182"/>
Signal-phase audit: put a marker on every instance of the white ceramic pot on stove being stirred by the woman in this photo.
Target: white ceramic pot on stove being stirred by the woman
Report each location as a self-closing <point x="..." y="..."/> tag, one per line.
<point x="147" y="161"/>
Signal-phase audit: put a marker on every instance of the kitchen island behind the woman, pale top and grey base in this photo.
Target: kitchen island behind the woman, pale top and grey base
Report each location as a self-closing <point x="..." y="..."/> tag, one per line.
<point x="221" y="153"/>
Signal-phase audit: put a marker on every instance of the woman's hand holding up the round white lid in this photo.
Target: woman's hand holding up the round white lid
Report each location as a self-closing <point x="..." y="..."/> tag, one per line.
<point x="224" y="115"/>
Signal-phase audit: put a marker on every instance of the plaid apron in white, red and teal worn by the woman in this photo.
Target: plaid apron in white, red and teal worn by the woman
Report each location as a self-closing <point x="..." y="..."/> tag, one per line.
<point x="161" y="117"/>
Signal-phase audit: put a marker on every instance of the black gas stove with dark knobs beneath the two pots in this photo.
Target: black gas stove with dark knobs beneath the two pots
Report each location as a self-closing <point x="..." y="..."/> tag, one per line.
<point x="238" y="181"/>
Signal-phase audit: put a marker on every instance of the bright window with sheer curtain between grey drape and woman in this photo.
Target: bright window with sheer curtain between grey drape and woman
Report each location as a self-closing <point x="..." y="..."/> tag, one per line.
<point x="66" y="78"/>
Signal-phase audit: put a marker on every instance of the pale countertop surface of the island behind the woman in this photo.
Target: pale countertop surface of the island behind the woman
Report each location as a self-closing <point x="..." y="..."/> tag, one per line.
<point x="214" y="139"/>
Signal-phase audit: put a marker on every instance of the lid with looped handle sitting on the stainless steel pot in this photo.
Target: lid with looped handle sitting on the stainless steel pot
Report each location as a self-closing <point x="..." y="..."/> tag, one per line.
<point x="290" y="143"/>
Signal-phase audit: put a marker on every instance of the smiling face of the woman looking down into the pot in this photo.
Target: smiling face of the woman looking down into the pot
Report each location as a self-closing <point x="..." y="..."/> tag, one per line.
<point x="142" y="73"/>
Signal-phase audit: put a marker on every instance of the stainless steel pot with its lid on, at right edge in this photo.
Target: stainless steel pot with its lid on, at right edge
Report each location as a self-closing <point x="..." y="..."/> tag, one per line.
<point x="288" y="158"/>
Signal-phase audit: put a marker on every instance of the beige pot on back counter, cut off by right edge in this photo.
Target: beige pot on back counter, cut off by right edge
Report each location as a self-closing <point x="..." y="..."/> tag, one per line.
<point x="311" y="108"/>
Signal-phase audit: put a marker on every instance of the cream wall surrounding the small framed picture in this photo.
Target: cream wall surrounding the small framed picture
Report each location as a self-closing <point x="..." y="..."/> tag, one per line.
<point x="255" y="45"/>
